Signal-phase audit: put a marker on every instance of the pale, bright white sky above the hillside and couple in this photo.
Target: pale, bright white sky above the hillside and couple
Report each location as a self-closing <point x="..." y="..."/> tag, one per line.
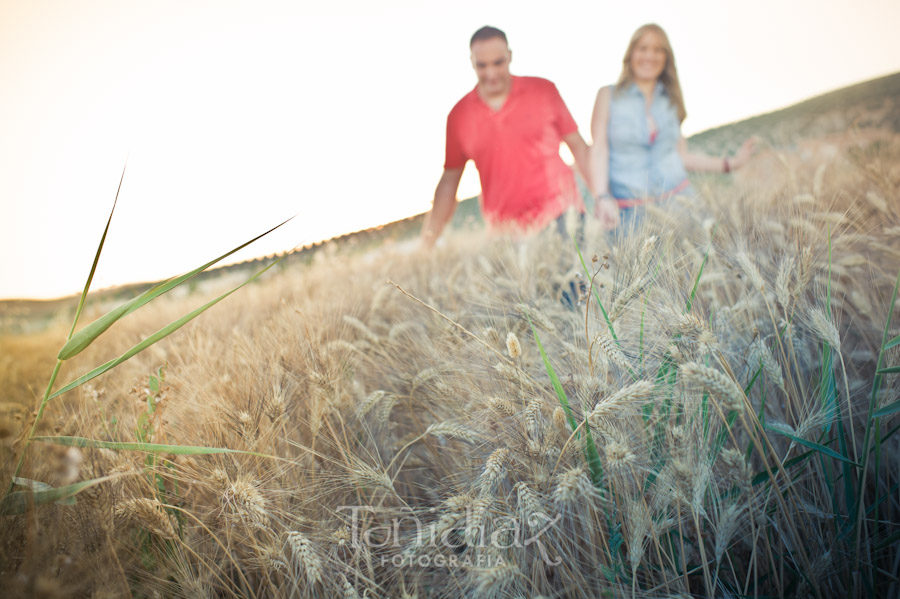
<point x="233" y="116"/>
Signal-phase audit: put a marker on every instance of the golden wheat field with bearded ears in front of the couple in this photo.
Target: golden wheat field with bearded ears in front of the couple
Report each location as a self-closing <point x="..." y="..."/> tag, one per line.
<point x="697" y="422"/>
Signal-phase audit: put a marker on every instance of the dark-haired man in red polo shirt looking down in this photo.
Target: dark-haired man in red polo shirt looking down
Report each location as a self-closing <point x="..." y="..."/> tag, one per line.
<point x="511" y="127"/>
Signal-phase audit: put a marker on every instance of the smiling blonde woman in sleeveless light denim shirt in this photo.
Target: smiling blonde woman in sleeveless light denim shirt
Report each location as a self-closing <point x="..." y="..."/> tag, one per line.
<point x="638" y="154"/>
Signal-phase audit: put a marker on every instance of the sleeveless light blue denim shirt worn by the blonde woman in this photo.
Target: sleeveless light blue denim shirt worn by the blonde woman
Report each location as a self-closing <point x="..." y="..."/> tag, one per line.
<point x="638" y="166"/>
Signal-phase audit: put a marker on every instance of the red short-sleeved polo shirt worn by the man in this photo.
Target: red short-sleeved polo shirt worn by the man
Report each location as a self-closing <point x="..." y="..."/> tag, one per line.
<point x="516" y="150"/>
